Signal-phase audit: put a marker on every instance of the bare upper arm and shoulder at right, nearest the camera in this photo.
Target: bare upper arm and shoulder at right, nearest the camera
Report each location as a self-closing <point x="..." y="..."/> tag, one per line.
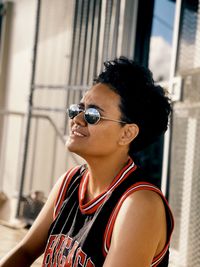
<point x="139" y="232"/>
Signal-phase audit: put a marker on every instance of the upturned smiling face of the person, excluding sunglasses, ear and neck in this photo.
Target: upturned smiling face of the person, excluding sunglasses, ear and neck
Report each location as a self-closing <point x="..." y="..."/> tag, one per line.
<point x="101" y="139"/>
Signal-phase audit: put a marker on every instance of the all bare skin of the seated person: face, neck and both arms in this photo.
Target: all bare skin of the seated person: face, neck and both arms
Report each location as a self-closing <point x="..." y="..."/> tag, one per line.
<point x="139" y="232"/>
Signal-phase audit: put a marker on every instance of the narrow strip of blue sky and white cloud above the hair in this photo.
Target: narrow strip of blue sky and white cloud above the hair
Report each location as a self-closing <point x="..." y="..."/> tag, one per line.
<point x="161" y="39"/>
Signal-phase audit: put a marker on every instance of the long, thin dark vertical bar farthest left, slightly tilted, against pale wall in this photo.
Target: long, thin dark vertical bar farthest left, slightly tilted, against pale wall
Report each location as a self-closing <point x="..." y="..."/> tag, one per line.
<point x="29" y="115"/>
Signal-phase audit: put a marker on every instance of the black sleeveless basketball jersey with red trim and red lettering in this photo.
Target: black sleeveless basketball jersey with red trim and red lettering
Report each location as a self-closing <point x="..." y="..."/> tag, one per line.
<point x="80" y="234"/>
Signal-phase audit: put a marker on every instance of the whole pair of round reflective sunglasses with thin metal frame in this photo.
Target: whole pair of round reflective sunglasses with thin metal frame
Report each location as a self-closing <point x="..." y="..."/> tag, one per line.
<point x="91" y="115"/>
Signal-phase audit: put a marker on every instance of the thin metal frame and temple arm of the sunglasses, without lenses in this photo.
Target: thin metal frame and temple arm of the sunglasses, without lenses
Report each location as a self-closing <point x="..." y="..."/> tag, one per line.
<point x="80" y="110"/>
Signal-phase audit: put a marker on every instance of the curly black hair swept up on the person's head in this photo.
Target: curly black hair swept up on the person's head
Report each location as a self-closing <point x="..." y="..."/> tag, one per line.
<point x="142" y="101"/>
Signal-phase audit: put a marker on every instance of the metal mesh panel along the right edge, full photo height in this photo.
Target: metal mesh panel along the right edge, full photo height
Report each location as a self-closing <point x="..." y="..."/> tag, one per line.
<point x="185" y="146"/>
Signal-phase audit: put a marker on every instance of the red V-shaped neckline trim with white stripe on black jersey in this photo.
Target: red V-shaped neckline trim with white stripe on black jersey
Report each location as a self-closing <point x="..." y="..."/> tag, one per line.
<point x="91" y="206"/>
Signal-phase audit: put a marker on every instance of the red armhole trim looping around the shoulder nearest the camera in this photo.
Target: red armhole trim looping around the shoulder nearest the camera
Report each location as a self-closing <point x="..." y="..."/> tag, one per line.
<point x="109" y="228"/>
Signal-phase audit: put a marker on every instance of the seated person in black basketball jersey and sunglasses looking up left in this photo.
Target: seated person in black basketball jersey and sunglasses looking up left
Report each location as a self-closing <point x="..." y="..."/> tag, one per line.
<point x="107" y="212"/>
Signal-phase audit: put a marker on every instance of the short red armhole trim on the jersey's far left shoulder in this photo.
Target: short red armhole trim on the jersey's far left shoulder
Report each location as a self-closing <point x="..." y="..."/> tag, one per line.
<point x="63" y="188"/>
